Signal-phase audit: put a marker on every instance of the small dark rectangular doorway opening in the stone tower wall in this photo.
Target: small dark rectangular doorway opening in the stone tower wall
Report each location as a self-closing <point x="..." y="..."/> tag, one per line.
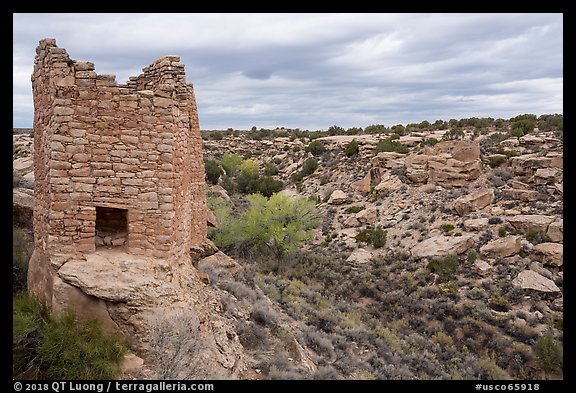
<point x="111" y="227"/>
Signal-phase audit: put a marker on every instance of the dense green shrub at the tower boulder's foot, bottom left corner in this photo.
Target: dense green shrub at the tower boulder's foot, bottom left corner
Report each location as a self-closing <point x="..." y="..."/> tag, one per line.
<point x="59" y="347"/>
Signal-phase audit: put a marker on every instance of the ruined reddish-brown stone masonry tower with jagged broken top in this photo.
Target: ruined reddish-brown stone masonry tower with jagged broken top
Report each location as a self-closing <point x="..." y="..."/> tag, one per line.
<point x="115" y="165"/>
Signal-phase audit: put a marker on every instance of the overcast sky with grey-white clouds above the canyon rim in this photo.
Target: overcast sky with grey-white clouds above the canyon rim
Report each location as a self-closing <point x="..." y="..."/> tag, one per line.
<point x="312" y="71"/>
